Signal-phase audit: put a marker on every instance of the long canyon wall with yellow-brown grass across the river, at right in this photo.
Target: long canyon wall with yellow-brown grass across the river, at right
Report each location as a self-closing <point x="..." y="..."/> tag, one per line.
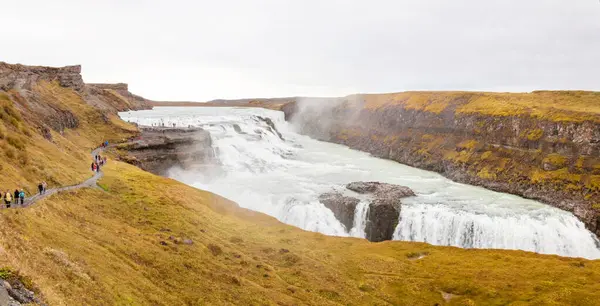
<point x="541" y="145"/>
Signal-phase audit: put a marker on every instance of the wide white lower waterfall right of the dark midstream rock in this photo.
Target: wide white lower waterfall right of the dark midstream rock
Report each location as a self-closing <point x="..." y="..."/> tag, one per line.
<point x="542" y="233"/>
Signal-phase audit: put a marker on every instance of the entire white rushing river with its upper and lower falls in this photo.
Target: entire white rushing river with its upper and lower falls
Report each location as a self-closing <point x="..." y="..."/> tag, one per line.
<point x="283" y="178"/>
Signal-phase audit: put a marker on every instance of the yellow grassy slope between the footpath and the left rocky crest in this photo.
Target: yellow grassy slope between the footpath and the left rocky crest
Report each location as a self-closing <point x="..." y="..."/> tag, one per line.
<point x="32" y="151"/>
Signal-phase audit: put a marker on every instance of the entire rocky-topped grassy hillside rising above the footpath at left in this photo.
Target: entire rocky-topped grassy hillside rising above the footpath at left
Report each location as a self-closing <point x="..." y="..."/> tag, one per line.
<point x="49" y="118"/>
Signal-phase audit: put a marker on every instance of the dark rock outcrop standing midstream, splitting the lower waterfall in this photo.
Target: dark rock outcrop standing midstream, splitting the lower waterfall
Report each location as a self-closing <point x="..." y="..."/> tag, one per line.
<point x="383" y="212"/>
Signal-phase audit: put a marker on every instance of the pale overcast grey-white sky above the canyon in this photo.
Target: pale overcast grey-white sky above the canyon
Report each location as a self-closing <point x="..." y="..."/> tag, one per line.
<point x="201" y="50"/>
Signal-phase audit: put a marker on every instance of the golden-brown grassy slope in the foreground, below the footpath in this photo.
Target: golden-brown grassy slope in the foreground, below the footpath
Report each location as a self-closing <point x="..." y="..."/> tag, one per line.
<point x="125" y="246"/>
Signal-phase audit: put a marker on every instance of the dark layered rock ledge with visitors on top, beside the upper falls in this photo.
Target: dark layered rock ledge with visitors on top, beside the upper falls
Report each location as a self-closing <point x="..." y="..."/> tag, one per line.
<point x="158" y="149"/>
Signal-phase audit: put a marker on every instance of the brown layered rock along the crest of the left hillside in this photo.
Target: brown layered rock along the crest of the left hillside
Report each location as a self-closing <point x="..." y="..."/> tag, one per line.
<point x="32" y="91"/>
